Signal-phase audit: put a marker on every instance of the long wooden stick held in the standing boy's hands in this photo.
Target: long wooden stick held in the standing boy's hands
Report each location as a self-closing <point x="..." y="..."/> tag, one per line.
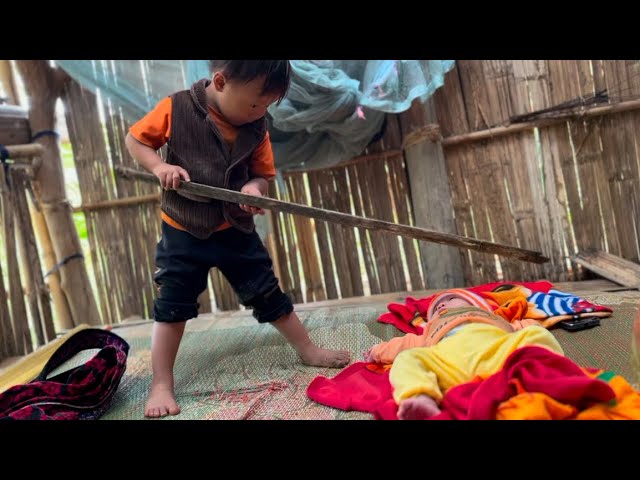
<point x="343" y="218"/>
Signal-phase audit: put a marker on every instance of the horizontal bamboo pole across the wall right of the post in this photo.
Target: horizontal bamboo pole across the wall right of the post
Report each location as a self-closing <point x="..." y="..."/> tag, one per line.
<point x="556" y="119"/>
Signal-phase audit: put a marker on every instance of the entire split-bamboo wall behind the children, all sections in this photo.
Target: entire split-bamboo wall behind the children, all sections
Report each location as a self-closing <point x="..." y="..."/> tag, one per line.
<point x="557" y="187"/>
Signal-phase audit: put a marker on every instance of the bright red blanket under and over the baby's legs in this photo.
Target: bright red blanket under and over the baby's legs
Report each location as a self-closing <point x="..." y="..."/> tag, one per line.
<point x="366" y="388"/>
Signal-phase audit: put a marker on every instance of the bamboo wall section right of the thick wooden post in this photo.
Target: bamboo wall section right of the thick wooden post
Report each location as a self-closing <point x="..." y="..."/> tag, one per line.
<point x="559" y="188"/>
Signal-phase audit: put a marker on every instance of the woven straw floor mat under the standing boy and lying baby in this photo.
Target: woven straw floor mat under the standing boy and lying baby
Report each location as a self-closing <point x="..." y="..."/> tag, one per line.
<point x="250" y="372"/>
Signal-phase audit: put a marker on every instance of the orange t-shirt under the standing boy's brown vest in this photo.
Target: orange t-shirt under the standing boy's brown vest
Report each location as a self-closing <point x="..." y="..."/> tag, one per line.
<point x="154" y="130"/>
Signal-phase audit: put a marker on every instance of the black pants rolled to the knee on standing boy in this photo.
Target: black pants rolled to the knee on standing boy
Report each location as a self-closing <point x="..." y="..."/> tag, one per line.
<point x="183" y="262"/>
